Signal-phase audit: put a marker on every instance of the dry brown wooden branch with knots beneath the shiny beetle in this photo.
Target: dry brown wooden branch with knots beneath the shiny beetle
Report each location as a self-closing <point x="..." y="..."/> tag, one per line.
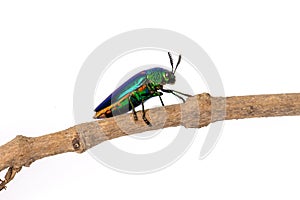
<point x="198" y="111"/>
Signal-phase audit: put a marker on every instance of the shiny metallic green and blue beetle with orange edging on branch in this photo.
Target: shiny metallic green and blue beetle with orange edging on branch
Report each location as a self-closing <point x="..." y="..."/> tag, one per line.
<point x="138" y="89"/>
